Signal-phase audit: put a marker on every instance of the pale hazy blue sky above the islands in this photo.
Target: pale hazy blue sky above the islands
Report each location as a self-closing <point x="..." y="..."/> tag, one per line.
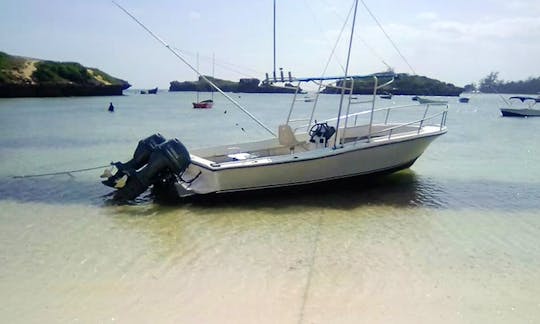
<point x="459" y="41"/>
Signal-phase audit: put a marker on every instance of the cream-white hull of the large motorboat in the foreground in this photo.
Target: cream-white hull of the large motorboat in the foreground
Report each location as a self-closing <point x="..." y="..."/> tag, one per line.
<point x="296" y="168"/>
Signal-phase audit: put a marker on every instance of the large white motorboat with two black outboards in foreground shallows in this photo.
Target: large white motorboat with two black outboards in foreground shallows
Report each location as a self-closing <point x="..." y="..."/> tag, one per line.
<point x="354" y="142"/>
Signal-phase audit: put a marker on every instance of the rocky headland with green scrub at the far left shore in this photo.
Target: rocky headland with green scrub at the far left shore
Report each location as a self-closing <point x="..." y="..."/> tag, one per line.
<point x="26" y="77"/>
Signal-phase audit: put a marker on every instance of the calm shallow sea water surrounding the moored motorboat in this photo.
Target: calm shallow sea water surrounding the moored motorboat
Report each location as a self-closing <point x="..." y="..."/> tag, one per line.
<point x="455" y="239"/>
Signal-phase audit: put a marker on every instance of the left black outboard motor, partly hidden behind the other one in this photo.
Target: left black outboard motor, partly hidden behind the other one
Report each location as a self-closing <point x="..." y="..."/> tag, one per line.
<point x="140" y="158"/>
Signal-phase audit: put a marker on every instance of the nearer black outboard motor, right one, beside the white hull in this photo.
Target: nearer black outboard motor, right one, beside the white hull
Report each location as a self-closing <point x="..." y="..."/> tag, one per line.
<point x="169" y="157"/>
